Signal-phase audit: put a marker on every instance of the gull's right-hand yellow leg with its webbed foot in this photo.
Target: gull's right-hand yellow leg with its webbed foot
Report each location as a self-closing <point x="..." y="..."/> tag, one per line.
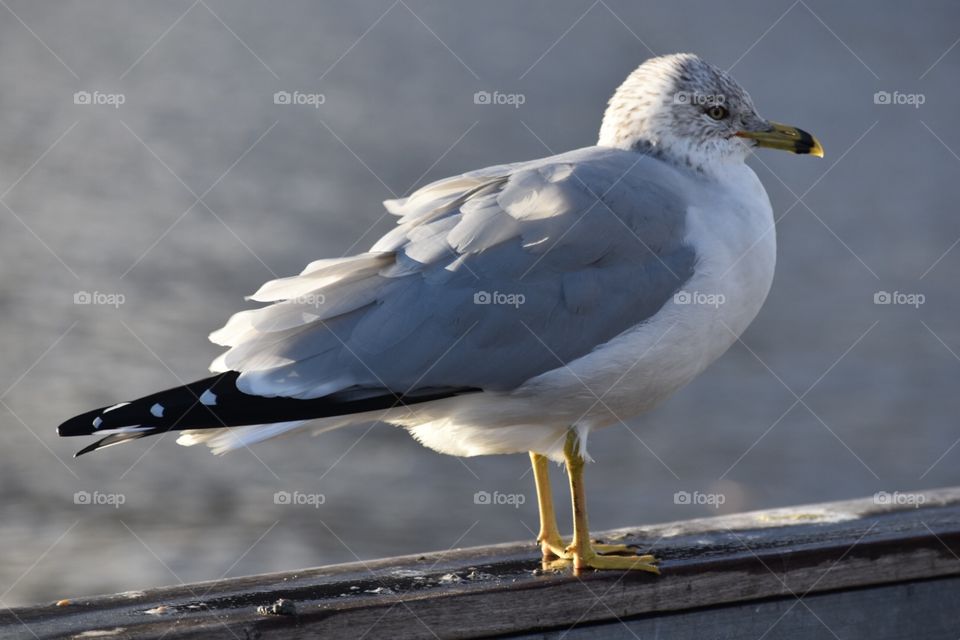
<point x="581" y="549"/>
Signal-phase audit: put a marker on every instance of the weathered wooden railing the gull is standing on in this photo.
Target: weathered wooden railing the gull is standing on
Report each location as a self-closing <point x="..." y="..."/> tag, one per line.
<point x="763" y="558"/>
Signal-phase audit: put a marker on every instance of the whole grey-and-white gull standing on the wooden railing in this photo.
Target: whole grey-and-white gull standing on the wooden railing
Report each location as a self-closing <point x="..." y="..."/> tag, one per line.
<point x="516" y="308"/>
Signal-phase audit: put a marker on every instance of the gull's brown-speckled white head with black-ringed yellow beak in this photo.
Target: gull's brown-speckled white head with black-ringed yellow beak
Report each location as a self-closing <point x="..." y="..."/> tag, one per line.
<point x="691" y="112"/>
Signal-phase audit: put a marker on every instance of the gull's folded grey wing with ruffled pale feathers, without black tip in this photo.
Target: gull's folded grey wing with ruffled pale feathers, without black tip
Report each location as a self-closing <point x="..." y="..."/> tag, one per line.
<point x="489" y="279"/>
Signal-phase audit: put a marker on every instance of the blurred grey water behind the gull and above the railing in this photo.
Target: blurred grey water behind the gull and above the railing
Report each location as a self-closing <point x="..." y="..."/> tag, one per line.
<point x="102" y="199"/>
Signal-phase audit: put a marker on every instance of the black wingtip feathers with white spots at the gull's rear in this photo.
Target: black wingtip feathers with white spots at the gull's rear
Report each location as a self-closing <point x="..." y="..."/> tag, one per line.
<point x="215" y="403"/>
